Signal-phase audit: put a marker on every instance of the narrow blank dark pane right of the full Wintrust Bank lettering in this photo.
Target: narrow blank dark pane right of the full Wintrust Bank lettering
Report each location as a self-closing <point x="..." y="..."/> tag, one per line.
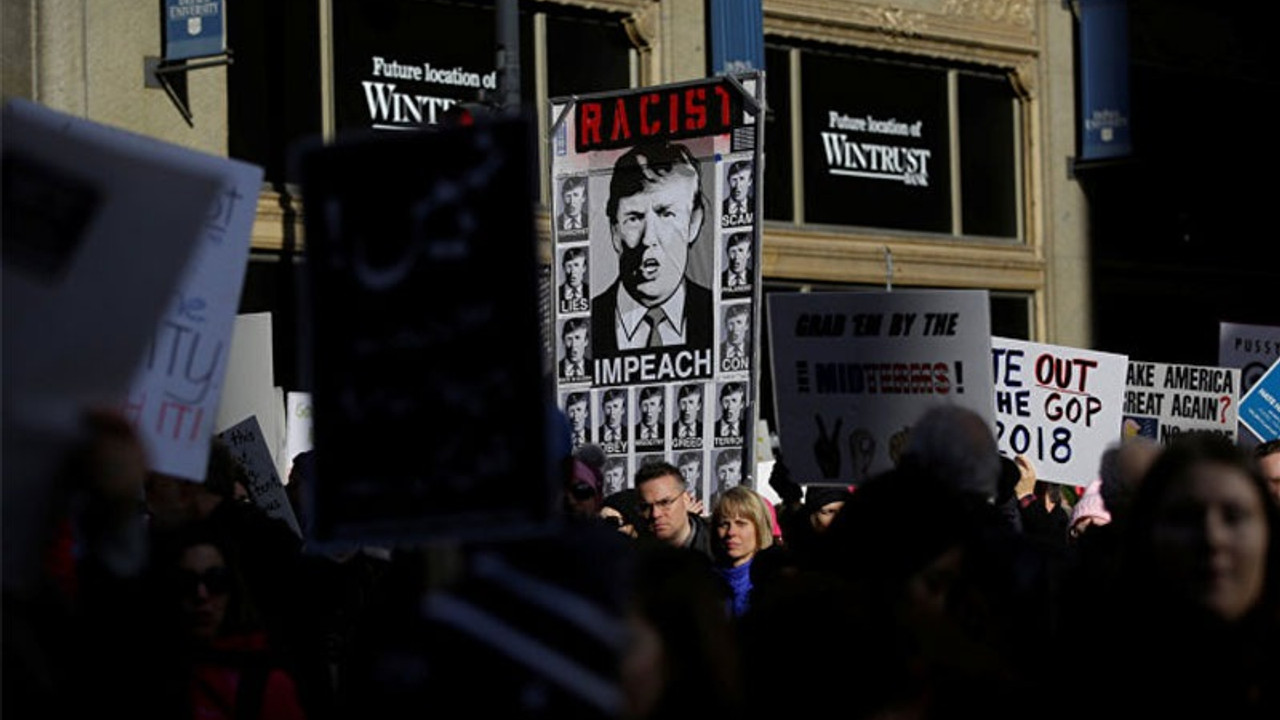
<point x="989" y="167"/>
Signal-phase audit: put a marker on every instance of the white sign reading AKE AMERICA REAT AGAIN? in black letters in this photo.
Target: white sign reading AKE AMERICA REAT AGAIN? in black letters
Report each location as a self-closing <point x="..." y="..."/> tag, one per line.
<point x="1163" y="402"/>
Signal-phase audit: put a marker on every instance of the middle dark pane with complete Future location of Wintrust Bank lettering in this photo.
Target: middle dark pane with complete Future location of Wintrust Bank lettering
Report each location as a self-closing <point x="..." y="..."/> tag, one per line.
<point x="876" y="145"/>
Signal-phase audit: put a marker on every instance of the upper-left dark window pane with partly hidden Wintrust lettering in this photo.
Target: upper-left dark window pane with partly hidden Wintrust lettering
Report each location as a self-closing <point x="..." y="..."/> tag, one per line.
<point x="401" y="65"/>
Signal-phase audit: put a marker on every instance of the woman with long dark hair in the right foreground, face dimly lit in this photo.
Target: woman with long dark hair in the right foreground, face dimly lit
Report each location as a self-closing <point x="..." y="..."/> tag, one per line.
<point x="1195" y="628"/>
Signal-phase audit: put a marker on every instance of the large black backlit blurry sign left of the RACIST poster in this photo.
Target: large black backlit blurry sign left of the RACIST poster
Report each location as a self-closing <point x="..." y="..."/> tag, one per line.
<point x="428" y="397"/>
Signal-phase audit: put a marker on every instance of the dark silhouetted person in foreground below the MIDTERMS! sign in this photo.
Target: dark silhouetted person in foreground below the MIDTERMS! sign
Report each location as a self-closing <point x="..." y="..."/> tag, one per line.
<point x="935" y="639"/>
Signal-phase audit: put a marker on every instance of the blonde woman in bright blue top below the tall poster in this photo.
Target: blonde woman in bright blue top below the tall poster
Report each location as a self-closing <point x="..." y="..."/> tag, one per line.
<point x="743" y="530"/>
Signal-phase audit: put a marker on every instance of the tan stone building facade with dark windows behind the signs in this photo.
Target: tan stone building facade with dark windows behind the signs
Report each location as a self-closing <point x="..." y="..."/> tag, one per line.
<point x="912" y="144"/>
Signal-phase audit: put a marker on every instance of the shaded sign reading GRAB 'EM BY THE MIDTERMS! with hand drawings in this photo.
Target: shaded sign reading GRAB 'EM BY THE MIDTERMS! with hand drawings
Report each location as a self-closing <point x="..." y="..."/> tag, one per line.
<point x="853" y="372"/>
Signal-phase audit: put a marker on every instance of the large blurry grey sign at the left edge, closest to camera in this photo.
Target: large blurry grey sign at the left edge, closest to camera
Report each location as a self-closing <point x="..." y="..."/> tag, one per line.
<point x="98" y="229"/>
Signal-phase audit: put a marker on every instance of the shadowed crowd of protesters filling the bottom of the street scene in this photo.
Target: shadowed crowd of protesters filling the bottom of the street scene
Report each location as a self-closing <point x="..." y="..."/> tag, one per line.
<point x="957" y="585"/>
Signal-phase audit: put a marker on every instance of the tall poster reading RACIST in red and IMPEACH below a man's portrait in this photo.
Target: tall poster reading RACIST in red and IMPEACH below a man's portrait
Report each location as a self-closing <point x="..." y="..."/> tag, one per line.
<point x="656" y="275"/>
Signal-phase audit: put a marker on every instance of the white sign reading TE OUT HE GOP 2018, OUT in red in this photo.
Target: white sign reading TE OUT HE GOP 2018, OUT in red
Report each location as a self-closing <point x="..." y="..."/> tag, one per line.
<point x="1059" y="407"/>
